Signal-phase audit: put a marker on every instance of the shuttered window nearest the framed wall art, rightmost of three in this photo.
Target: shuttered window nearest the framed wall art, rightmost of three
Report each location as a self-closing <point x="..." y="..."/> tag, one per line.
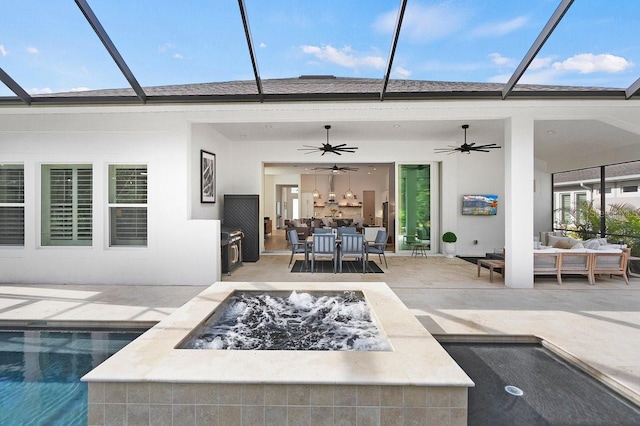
<point x="128" y="205"/>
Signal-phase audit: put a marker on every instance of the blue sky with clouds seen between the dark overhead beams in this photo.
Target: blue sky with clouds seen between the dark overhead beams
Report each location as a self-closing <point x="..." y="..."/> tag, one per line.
<point x="47" y="46"/>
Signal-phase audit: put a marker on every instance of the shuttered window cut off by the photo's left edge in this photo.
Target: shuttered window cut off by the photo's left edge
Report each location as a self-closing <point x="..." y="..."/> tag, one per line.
<point x="11" y="204"/>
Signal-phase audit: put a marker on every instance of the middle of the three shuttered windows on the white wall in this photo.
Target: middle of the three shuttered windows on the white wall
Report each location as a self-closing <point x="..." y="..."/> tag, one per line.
<point x="67" y="205"/>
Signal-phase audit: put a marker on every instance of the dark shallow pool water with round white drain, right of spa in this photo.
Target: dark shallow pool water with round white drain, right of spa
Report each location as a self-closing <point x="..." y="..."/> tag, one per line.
<point x="526" y="384"/>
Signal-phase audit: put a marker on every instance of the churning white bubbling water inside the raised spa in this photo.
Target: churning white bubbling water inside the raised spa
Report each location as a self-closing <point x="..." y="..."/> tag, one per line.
<point x="299" y="321"/>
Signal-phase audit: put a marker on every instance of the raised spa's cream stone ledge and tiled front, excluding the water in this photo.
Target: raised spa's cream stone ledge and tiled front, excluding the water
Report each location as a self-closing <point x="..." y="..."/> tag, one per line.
<point x="150" y="381"/>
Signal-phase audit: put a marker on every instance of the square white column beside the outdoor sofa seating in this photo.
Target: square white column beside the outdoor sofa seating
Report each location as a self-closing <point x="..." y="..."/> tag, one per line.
<point x="519" y="175"/>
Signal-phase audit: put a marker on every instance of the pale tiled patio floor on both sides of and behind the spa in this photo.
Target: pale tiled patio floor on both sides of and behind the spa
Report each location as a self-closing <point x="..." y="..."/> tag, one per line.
<point x="599" y="325"/>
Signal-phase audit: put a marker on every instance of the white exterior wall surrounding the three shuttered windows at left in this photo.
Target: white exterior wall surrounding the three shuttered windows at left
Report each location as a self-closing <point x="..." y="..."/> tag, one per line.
<point x="180" y="250"/>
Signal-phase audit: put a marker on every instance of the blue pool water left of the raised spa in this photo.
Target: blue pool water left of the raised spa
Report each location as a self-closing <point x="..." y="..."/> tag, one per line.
<point x="40" y="373"/>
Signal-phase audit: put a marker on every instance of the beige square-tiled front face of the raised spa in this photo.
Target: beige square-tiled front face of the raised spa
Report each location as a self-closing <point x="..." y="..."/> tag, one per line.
<point x="264" y="404"/>
